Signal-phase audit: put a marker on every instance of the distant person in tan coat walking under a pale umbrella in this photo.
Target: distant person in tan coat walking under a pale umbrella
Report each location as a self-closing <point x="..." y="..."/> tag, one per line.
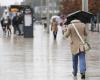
<point x="54" y="27"/>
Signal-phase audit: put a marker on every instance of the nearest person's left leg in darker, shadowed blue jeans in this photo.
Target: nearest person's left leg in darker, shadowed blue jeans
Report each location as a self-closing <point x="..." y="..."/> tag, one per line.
<point x="75" y="64"/>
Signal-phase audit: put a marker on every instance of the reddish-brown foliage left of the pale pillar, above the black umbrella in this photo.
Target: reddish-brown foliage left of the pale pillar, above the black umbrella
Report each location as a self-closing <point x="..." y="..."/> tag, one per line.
<point x="68" y="6"/>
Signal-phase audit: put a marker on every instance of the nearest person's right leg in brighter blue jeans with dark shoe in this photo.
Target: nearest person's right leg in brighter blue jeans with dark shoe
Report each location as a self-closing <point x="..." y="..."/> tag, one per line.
<point x="82" y="64"/>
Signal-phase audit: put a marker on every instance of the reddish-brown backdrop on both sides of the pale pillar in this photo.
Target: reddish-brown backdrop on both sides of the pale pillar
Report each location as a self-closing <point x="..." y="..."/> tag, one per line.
<point x="68" y="6"/>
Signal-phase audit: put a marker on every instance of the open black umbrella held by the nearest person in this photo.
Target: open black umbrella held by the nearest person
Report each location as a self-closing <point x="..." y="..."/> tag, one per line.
<point x="83" y="16"/>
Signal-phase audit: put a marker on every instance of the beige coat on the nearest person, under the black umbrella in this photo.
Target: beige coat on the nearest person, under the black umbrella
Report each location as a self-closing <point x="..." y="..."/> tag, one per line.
<point x="75" y="40"/>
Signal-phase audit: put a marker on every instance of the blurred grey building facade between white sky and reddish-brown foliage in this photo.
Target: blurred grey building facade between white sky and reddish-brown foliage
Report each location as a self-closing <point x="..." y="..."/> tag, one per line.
<point x="41" y="6"/>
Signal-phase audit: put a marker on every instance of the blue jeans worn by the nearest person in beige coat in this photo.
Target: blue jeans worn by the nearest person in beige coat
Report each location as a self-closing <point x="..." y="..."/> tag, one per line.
<point x="82" y="63"/>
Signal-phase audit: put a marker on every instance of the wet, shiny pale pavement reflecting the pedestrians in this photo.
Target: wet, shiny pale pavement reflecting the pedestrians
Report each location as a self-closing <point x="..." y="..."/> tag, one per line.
<point x="43" y="58"/>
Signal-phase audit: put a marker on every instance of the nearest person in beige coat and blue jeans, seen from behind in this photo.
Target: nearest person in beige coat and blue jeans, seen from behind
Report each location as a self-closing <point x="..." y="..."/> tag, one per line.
<point x="76" y="49"/>
